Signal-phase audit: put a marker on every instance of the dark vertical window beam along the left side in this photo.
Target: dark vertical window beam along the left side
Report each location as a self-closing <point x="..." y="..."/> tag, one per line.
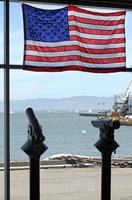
<point x="6" y="104"/>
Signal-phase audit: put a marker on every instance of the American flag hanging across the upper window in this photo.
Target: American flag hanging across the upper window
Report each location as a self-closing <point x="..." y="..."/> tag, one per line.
<point x="72" y="38"/>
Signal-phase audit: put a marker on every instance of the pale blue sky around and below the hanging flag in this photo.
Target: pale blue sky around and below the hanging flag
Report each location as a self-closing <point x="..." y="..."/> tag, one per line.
<point x="33" y="85"/>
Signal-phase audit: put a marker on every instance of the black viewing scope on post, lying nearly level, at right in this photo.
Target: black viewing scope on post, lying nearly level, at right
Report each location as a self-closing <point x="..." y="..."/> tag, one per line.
<point x="106" y="145"/>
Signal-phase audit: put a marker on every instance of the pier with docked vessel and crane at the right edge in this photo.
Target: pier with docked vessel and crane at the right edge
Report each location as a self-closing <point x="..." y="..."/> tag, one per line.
<point x="122" y="109"/>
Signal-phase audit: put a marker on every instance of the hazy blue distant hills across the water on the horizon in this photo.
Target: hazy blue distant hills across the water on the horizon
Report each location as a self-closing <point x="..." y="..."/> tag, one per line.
<point x="80" y="103"/>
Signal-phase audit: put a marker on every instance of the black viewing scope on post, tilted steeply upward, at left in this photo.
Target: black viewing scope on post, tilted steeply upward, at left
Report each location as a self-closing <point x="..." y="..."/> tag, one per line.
<point x="34" y="148"/>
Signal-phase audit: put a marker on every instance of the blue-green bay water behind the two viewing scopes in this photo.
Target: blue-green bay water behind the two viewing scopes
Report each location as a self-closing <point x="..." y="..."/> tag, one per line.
<point x="66" y="133"/>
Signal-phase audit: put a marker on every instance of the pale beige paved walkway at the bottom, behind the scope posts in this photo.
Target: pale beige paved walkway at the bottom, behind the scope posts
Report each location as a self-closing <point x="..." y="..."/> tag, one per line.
<point x="70" y="184"/>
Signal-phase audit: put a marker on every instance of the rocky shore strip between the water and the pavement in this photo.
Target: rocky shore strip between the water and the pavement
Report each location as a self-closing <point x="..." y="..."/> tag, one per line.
<point x="69" y="160"/>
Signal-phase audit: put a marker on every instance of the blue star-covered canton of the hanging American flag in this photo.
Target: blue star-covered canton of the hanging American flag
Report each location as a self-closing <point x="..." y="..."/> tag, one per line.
<point x="46" y="25"/>
